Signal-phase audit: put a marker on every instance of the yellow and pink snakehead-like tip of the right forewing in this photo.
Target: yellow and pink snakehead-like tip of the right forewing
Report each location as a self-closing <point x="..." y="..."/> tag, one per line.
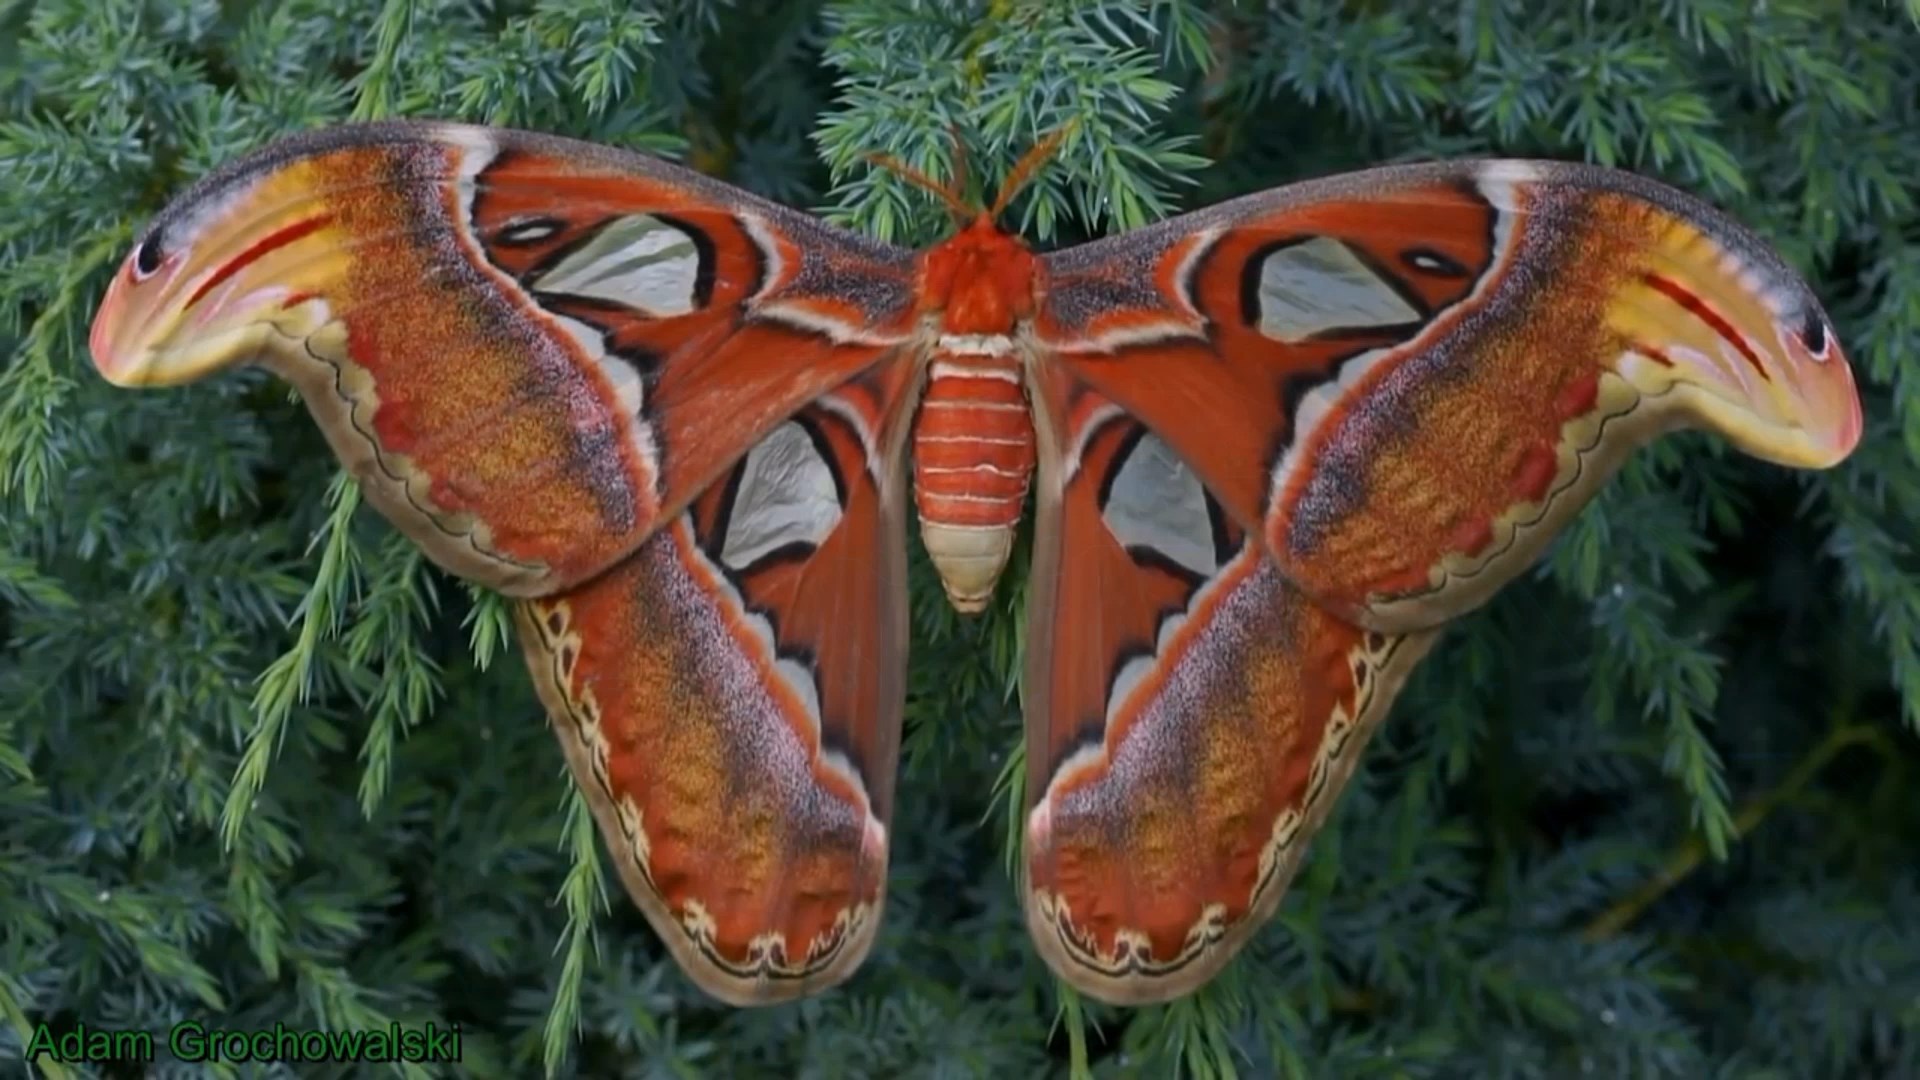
<point x="1744" y="353"/>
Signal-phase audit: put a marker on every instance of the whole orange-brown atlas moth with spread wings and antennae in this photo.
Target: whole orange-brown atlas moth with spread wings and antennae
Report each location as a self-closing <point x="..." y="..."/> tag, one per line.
<point x="1274" y="449"/>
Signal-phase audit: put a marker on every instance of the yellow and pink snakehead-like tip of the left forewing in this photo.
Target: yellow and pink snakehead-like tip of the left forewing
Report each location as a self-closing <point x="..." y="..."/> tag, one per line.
<point x="228" y="274"/>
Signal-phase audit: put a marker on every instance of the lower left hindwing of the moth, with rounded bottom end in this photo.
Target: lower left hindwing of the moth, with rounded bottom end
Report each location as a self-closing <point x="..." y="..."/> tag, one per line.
<point x="731" y="700"/>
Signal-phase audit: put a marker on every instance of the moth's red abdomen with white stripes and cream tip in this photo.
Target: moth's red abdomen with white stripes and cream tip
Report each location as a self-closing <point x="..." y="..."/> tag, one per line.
<point x="972" y="464"/>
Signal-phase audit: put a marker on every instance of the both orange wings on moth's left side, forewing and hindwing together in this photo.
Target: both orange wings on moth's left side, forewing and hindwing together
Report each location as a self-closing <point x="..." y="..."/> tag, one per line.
<point x="667" y="416"/>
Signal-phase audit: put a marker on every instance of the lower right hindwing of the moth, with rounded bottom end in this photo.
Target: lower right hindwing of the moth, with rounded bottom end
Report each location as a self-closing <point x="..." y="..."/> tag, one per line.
<point x="1191" y="716"/>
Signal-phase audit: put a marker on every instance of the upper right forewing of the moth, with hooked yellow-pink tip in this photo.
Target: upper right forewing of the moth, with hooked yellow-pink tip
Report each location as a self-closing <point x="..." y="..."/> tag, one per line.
<point x="1404" y="381"/>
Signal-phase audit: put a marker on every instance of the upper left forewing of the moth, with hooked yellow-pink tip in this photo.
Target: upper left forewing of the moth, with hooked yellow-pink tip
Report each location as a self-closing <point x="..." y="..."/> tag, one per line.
<point x="531" y="351"/>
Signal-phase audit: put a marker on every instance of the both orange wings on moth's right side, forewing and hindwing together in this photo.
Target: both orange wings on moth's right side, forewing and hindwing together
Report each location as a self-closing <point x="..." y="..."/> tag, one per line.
<point x="1282" y="443"/>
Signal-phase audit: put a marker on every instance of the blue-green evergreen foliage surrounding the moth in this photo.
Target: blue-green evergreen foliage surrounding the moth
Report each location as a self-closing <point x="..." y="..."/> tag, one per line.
<point x="1652" y="814"/>
